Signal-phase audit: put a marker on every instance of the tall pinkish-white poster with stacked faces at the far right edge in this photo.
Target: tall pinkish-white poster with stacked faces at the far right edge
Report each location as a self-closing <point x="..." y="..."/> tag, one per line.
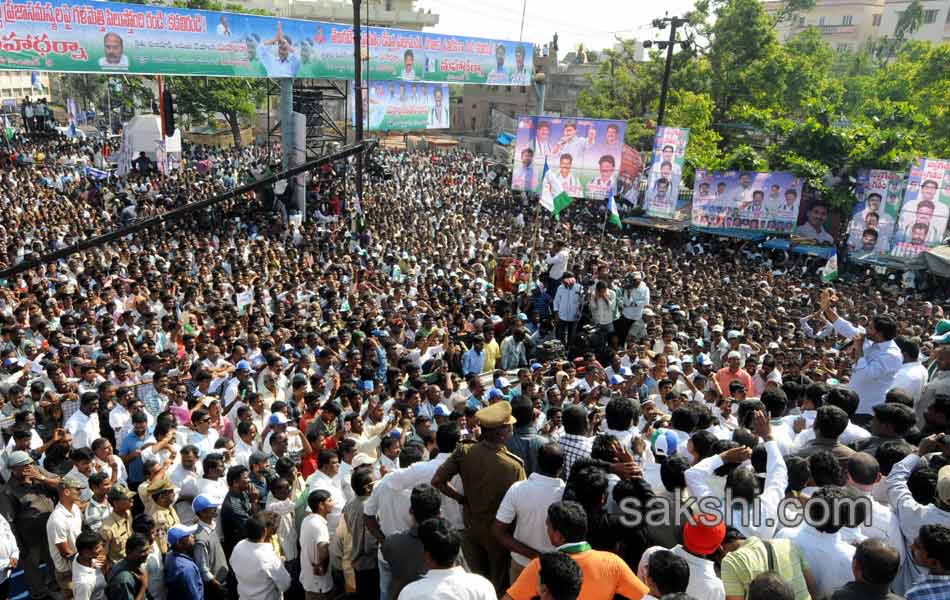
<point x="922" y="223"/>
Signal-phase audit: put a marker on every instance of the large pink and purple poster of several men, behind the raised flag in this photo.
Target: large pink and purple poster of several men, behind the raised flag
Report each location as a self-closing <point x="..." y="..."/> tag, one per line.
<point x="584" y="154"/>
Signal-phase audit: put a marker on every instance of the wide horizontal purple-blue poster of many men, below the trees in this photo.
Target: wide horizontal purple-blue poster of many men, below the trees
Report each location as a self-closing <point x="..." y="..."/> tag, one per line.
<point x="747" y="201"/>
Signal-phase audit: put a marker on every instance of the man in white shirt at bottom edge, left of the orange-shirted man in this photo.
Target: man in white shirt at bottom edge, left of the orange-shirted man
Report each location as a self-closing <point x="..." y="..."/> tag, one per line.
<point x="441" y="545"/>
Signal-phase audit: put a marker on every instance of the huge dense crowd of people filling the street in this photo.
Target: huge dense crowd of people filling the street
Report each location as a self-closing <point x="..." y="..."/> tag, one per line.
<point x="449" y="396"/>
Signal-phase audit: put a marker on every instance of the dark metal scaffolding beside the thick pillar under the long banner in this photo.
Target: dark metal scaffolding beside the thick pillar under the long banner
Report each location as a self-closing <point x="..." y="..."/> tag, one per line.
<point x="313" y="98"/>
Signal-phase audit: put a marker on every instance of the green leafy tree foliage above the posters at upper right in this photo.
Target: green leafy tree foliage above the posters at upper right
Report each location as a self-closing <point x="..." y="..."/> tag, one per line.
<point x="755" y="103"/>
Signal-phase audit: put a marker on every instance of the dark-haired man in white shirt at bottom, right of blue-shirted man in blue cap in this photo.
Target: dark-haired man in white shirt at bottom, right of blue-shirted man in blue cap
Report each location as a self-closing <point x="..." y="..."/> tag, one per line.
<point x="260" y="573"/>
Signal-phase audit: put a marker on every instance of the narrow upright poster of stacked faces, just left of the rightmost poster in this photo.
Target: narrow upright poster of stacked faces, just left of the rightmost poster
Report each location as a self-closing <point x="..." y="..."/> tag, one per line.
<point x="878" y="194"/>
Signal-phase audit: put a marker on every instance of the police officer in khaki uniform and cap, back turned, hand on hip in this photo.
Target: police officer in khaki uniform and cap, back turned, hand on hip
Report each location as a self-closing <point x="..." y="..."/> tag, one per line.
<point x="488" y="467"/>
